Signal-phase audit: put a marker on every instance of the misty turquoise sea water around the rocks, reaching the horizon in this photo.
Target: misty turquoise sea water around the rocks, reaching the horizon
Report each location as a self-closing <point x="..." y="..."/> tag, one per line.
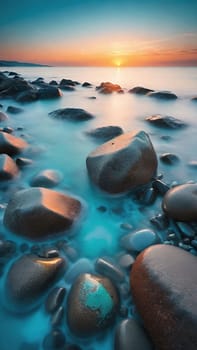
<point x="64" y="146"/>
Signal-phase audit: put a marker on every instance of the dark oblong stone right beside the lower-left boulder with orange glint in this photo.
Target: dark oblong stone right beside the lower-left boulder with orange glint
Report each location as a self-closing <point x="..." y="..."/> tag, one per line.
<point x="55" y="299"/>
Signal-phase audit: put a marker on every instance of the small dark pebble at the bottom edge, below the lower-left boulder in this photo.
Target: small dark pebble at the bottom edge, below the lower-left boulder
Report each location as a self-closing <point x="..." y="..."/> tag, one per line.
<point x="54" y="340"/>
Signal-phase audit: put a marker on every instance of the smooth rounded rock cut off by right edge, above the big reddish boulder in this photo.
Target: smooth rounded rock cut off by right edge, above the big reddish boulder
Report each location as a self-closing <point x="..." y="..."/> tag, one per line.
<point x="180" y="202"/>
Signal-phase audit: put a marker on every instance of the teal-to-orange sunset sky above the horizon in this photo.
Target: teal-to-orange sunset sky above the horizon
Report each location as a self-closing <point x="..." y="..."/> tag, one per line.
<point x="99" y="32"/>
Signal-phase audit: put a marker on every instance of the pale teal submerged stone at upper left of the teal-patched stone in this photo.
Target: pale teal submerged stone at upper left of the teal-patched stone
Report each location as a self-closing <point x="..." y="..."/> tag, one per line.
<point x="81" y="266"/>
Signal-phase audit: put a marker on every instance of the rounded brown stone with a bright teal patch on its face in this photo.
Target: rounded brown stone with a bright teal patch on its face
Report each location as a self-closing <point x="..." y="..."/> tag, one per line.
<point x="92" y="305"/>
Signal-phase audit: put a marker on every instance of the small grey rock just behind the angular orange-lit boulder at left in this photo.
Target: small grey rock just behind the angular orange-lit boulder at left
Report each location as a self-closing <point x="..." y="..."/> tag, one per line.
<point x="46" y="178"/>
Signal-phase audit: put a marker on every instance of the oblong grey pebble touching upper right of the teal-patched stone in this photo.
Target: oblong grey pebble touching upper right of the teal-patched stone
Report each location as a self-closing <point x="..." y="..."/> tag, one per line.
<point x="109" y="269"/>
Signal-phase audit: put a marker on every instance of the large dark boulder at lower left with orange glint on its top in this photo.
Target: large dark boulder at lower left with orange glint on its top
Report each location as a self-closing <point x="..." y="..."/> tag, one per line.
<point x="38" y="275"/>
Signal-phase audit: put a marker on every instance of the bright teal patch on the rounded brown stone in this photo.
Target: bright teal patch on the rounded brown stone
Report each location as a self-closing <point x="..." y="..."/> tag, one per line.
<point x="96" y="298"/>
